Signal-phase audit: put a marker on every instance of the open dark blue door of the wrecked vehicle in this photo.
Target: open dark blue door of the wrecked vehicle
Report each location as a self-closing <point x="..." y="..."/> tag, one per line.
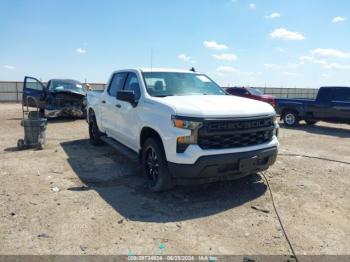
<point x="33" y="93"/>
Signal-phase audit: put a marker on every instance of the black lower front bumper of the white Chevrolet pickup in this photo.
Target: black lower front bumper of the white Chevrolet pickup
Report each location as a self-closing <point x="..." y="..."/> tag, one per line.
<point x="223" y="167"/>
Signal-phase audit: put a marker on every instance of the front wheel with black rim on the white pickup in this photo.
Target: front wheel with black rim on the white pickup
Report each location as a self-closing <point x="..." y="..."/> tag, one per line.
<point x="155" y="166"/>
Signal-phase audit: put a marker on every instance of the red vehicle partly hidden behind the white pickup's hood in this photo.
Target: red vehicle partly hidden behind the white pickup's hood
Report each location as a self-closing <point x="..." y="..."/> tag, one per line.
<point x="252" y="93"/>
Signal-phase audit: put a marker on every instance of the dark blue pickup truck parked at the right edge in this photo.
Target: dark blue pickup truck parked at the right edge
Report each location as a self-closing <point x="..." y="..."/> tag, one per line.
<point x="331" y="105"/>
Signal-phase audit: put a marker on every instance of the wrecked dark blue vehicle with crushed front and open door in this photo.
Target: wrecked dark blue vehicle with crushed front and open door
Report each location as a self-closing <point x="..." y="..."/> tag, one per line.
<point x="60" y="97"/>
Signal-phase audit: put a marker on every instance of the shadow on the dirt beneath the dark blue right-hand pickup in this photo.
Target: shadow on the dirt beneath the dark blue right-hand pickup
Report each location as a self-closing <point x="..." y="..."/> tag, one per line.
<point x="318" y="129"/>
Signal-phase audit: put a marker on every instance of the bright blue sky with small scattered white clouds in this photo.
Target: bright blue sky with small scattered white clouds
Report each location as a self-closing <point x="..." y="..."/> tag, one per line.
<point x="289" y="43"/>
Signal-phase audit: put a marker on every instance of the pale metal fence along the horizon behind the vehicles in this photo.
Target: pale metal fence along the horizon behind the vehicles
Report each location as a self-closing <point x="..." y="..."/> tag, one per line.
<point x="11" y="91"/>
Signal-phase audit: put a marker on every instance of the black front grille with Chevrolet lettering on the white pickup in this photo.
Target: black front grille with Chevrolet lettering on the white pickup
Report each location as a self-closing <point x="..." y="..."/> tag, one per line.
<point x="225" y="134"/>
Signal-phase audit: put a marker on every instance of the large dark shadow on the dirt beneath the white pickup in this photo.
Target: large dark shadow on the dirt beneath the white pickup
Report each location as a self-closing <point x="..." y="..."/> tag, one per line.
<point x="120" y="184"/>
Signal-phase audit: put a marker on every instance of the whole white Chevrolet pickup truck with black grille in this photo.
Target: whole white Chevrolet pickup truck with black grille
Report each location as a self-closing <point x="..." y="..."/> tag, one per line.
<point x="182" y="127"/>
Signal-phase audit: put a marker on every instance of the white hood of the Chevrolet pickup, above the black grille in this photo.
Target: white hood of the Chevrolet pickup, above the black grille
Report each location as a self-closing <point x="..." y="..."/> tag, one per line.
<point x="218" y="106"/>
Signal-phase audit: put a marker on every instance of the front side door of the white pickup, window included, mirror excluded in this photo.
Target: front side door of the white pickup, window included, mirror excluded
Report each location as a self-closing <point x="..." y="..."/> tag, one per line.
<point x="129" y="118"/>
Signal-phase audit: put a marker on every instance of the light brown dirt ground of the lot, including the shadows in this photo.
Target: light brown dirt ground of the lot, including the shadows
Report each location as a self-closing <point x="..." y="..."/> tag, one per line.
<point x="103" y="207"/>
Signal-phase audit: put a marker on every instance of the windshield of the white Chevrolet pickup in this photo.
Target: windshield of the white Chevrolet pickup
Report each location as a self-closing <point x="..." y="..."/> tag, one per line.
<point x="162" y="84"/>
